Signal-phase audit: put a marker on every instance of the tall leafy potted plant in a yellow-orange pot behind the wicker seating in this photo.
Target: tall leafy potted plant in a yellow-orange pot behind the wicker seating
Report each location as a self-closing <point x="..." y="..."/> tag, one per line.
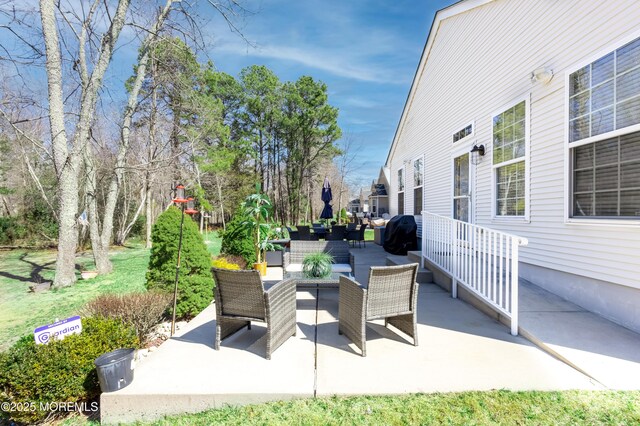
<point x="257" y="207"/>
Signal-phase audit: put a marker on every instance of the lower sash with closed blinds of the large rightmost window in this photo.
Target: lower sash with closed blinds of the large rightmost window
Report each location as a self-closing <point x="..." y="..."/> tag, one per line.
<point x="606" y="178"/>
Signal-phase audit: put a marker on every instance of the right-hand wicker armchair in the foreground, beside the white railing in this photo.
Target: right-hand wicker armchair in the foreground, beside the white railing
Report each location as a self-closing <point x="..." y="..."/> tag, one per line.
<point x="392" y="294"/>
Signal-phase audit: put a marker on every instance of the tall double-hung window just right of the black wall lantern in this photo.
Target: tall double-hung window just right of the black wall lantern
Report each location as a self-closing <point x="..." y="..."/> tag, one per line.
<point x="509" y="162"/>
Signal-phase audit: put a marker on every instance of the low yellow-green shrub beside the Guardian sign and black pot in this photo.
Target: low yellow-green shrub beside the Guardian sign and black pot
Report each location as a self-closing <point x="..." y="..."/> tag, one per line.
<point x="60" y="371"/>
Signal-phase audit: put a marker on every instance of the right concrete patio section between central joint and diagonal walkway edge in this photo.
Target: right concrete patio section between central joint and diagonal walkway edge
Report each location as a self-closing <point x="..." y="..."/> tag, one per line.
<point x="459" y="349"/>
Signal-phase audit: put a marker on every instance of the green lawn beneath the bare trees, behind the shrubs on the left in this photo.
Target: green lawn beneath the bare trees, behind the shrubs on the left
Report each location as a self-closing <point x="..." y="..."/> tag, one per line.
<point x="21" y="311"/>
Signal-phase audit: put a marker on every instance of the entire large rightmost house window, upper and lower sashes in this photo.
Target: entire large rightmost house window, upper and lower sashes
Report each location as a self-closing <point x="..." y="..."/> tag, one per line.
<point x="604" y="100"/>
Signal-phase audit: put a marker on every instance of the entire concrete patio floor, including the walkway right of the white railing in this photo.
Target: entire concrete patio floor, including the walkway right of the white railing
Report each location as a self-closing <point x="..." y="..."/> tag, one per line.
<point x="459" y="349"/>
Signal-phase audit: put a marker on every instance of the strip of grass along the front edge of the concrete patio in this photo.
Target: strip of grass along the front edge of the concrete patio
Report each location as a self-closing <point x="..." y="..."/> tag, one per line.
<point x="466" y="408"/>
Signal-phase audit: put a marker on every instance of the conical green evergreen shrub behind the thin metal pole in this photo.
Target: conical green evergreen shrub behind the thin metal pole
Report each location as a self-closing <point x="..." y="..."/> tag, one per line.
<point x="195" y="287"/>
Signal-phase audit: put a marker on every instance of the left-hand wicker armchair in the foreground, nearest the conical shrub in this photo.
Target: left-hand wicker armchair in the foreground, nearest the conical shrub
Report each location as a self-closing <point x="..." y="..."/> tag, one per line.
<point x="242" y="298"/>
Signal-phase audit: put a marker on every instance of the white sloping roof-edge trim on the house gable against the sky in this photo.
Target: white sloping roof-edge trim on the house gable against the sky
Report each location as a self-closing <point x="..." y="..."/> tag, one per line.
<point x="449" y="11"/>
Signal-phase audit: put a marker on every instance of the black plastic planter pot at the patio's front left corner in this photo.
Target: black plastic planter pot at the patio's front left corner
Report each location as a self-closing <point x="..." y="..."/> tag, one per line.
<point x="115" y="369"/>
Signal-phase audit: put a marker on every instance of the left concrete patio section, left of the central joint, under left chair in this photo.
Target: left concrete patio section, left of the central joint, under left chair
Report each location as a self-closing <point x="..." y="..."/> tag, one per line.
<point x="186" y="374"/>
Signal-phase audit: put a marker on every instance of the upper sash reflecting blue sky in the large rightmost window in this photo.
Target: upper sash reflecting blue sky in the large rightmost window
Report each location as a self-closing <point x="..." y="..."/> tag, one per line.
<point x="605" y="95"/>
